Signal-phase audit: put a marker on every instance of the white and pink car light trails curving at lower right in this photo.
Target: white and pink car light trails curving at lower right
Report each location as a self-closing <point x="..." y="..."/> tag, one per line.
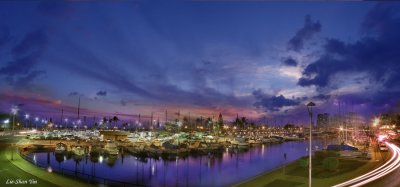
<point x="388" y="167"/>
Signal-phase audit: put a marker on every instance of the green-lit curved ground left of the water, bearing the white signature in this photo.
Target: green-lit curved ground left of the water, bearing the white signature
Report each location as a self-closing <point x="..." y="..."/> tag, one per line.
<point x="9" y="173"/>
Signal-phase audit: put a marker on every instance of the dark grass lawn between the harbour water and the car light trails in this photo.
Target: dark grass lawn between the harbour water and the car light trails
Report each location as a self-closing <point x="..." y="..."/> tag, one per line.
<point x="296" y="174"/>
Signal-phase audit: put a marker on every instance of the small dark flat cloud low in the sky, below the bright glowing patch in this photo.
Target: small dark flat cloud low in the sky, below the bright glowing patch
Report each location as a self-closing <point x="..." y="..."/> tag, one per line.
<point x="272" y="103"/>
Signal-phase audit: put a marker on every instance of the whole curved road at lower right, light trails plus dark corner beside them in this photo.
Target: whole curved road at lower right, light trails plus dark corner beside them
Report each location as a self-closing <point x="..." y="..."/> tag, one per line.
<point x="381" y="176"/>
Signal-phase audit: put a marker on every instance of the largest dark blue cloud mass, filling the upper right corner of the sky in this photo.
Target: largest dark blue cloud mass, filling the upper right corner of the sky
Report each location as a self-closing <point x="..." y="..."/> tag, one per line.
<point x="375" y="53"/>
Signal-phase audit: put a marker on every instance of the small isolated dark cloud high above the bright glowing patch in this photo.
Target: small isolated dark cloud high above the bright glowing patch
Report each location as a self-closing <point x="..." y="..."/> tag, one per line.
<point x="309" y="29"/>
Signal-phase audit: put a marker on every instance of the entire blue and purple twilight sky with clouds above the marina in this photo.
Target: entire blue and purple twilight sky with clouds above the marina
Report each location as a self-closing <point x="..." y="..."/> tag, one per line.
<point x="253" y="59"/>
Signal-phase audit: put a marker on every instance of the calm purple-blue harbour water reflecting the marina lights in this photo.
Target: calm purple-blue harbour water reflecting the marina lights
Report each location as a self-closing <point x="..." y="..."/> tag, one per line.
<point x="224" y="170"/>
